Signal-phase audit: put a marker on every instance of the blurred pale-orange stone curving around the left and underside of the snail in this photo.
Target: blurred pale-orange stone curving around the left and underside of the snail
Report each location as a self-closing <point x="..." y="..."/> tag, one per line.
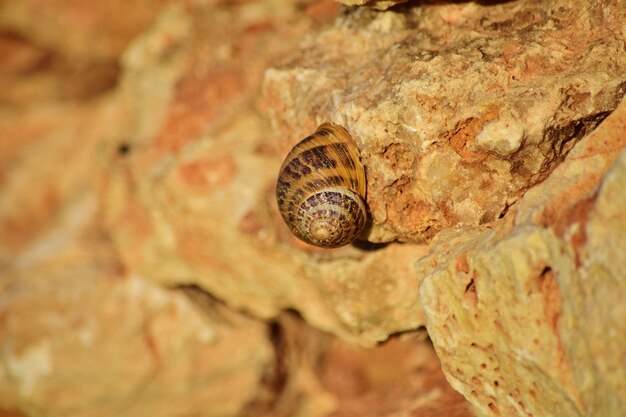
<point x="192" y="201"/>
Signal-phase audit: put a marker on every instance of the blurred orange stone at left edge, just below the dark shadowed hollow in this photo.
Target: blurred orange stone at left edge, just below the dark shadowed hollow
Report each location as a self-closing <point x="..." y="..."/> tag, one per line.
<point x="46" y="141"/>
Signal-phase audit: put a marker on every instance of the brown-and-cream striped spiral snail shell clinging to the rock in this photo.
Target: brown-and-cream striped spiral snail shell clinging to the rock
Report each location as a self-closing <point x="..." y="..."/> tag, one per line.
<point x="321" y="188"/>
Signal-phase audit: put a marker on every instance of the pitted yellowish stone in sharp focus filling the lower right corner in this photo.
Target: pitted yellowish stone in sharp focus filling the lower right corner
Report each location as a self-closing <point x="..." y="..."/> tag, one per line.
<point x="528" y="318"/>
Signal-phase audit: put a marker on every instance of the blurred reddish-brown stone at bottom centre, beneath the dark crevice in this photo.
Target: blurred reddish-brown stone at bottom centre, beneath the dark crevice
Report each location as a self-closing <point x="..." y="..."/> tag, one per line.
<point x="320" y="375"/>
